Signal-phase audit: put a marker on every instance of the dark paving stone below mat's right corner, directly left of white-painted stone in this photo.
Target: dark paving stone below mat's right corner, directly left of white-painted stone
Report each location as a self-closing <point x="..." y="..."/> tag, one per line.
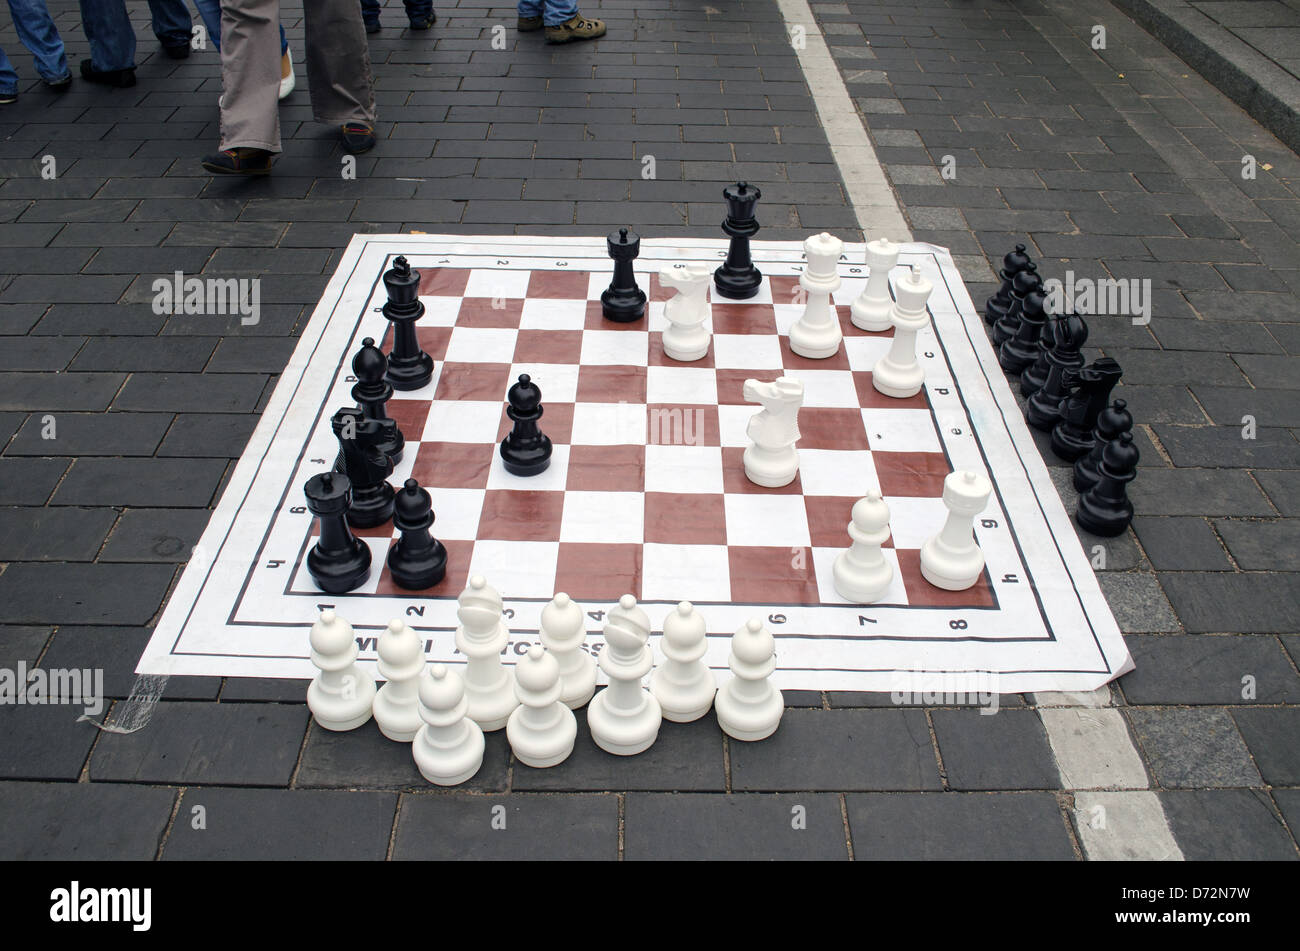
<point x="1007" y="750"/>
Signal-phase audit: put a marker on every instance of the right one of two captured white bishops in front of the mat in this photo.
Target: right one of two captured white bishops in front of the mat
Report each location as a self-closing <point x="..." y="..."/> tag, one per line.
<point x="625" y="718"/>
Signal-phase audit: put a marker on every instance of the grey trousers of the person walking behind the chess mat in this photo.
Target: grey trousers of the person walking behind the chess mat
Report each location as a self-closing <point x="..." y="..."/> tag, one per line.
<point x="339" y="68"/>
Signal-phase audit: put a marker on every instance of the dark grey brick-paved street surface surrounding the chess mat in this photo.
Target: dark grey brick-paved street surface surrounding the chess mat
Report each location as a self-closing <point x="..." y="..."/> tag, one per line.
<point x="996" y="123"/>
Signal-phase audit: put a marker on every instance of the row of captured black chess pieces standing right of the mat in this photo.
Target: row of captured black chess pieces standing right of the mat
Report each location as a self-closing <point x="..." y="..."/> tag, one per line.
<point x="1065" y="398"/>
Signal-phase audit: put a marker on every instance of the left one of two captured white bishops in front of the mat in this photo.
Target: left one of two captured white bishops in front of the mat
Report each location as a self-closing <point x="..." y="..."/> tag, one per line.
<point x="482" y="636"/>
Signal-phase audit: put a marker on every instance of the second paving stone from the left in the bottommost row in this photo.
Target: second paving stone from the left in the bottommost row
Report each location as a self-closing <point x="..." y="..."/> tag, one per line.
<point x="284" y="826"/>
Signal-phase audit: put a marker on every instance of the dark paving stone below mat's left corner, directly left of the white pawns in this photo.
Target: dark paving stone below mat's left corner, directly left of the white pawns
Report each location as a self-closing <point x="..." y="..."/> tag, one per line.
<point x="197" y="744"/>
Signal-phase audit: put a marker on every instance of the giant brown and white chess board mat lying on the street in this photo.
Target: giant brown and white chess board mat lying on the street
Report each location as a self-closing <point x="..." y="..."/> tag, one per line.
<point x="647" y="492"/>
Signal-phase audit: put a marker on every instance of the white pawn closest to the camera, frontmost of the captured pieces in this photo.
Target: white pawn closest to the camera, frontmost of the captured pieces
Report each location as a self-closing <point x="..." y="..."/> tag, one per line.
<point x="450" y="746"/>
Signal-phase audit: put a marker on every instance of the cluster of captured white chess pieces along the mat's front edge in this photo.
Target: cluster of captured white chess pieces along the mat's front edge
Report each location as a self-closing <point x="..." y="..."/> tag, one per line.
<point x="445" y="716"/>
